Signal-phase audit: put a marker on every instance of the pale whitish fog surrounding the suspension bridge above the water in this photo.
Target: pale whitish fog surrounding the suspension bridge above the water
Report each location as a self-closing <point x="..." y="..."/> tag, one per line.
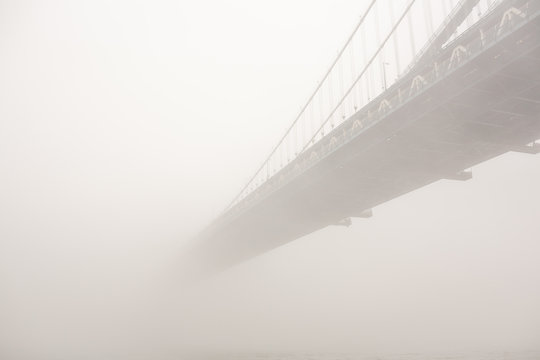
<point x="127" y="126"/>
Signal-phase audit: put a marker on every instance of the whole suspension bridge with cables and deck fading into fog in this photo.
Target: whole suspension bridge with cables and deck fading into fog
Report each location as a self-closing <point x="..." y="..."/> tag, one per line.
<point x="387" y="119"/>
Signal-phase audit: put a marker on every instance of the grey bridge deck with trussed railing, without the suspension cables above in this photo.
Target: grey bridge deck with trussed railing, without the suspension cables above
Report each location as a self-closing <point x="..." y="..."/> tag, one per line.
<point x="479" y="99"/>
